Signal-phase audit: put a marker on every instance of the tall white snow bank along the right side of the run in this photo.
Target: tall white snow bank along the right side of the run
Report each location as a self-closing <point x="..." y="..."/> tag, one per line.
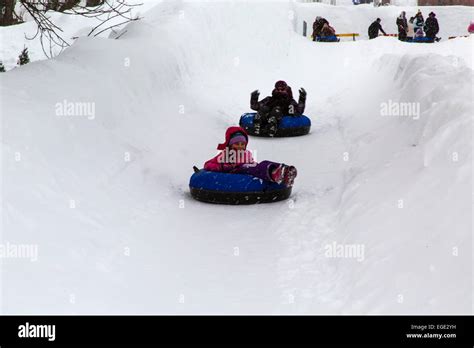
<point x="406" y="198"/>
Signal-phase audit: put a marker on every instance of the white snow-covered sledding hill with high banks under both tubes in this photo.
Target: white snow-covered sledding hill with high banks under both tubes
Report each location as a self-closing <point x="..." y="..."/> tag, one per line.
<point x="105" y="196"/>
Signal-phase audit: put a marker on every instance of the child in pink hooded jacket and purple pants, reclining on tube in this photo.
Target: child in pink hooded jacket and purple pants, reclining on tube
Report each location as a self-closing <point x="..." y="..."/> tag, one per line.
<point x="235" y="158"/>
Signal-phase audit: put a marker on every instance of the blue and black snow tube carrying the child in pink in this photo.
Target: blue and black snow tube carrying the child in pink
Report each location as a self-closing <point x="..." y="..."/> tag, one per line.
<point x="227" y="188"/>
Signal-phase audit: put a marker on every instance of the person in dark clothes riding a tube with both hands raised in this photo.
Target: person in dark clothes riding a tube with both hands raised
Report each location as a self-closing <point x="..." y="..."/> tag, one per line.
<point x="271" y="110"/>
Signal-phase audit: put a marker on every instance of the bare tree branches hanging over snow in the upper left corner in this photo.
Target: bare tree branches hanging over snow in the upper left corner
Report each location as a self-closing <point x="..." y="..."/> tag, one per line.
<point x="108" y="13"/>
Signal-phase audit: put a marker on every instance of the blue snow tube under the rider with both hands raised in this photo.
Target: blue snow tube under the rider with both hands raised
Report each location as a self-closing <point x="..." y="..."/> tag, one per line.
<point x="289" y="126"/>
